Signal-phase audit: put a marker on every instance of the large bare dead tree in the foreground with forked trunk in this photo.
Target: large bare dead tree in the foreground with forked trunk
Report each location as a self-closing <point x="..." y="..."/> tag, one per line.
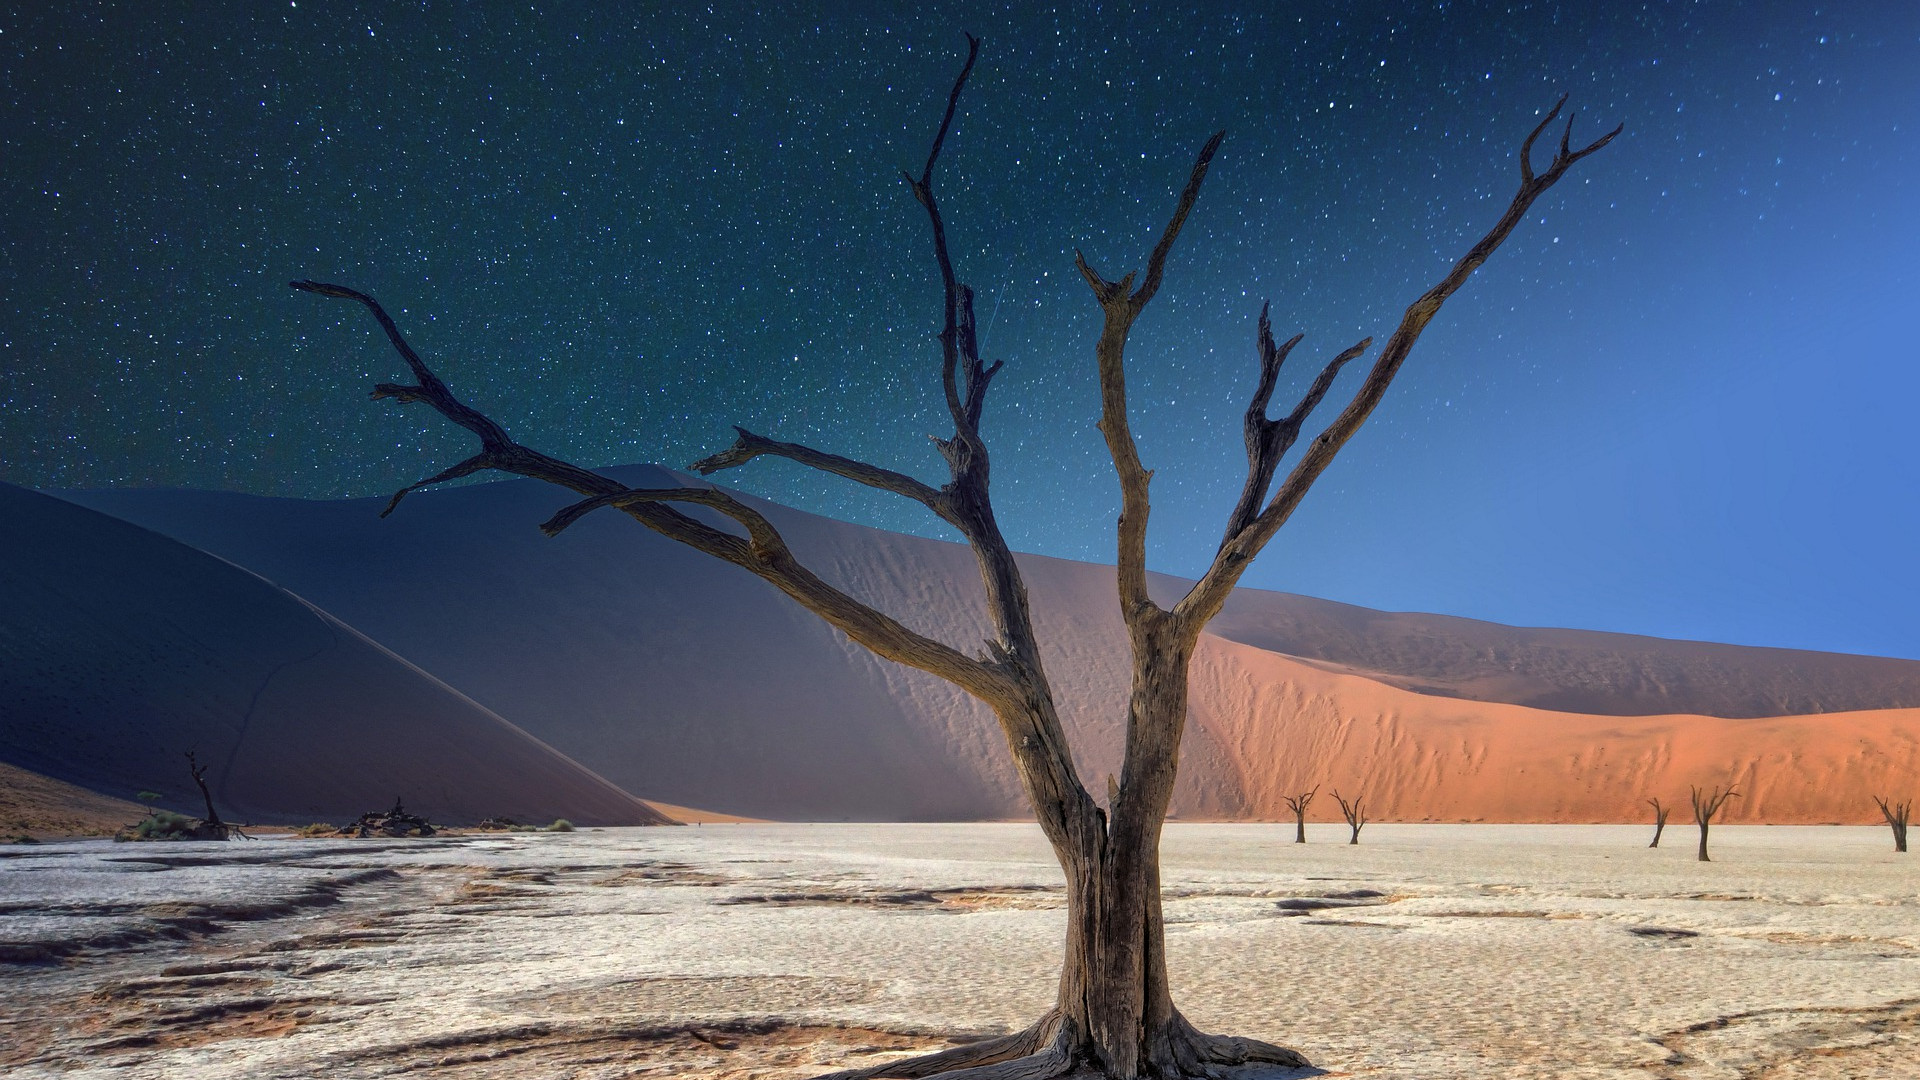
<point x="1115" y="1014"/>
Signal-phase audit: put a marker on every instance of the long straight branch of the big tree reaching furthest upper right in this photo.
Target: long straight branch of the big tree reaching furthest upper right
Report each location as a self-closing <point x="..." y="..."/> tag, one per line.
<point x="1211" y="593"/>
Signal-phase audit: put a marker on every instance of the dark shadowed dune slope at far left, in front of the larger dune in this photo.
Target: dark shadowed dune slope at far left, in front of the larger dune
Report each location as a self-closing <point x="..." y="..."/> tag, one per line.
<point x="120" y="650"/>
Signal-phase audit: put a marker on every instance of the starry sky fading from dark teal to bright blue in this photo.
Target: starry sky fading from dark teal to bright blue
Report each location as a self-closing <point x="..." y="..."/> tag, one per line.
<point x="1679" y="403"/>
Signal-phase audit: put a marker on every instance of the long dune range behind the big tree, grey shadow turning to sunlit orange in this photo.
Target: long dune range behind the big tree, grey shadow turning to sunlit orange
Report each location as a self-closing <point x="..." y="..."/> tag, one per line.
<point x="694" y="683"/>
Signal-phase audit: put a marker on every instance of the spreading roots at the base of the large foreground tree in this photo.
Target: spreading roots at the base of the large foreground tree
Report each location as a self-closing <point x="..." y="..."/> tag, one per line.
<point x="1049" y="1050"/>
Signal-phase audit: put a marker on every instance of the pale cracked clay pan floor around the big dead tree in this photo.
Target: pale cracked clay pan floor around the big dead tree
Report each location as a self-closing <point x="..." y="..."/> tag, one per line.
<point x="1554" y="952"/>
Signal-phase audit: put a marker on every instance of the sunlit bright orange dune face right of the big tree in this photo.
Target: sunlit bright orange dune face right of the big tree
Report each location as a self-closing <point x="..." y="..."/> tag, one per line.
<point x="1285" y="727"/>
